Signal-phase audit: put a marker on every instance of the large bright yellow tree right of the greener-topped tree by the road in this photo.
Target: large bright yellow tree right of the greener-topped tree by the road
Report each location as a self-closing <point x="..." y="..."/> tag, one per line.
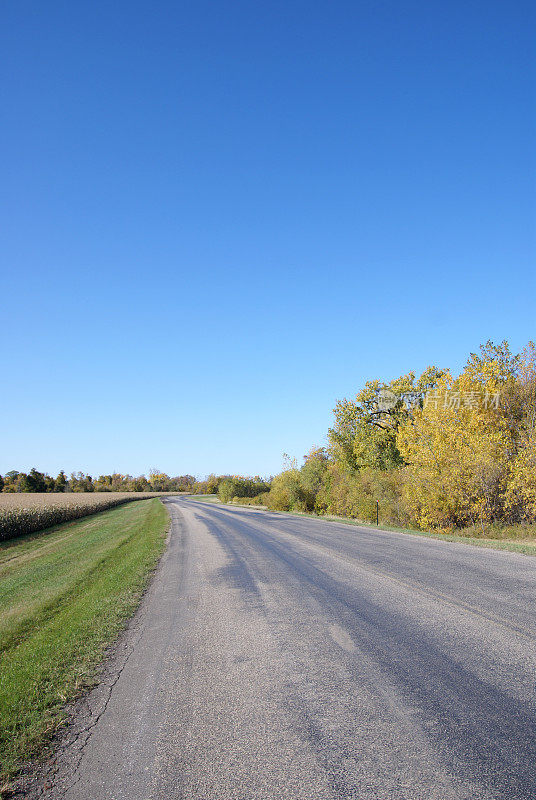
<point x="459" y="445"/>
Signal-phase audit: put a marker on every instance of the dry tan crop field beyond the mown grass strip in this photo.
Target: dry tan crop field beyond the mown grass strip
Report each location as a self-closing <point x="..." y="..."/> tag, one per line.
<point x="22" y="513"/>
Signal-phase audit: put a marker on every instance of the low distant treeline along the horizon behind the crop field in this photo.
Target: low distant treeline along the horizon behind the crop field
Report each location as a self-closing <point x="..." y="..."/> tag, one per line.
<point x="35" y="481"/>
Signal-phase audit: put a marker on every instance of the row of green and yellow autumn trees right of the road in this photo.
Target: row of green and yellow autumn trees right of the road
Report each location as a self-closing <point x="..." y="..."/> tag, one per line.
<point x="434" y="451"/>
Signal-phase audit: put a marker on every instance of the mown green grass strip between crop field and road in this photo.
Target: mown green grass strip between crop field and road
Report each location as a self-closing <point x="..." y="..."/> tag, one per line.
<point x="64" y="596"/>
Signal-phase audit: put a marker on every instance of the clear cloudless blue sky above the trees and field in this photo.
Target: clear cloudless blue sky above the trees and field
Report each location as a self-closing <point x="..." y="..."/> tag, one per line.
<point x="219" y="218"/>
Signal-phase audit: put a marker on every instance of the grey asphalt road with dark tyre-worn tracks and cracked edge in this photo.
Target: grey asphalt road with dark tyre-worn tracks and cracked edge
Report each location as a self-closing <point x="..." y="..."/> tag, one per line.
<point x="286" y="657"/>
